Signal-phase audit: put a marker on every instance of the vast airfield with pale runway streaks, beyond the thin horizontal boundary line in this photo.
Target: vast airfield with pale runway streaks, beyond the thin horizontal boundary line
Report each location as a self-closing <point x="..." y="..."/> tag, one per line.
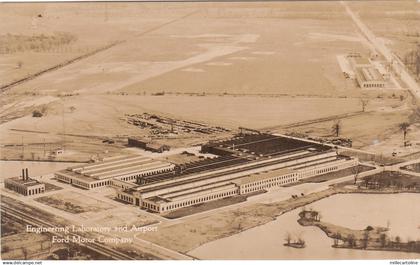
<point x="275" y="48"/>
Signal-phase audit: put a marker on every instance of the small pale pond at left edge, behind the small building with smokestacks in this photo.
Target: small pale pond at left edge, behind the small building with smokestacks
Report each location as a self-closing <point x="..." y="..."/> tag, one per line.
<point x="14" y="168"/>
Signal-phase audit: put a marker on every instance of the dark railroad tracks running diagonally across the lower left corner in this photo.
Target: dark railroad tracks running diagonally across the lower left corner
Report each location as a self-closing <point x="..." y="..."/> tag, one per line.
<point x="99" y="248"/>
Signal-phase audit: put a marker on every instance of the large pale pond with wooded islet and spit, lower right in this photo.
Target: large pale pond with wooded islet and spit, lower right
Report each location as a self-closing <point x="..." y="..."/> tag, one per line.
<point x="356" y="211"/>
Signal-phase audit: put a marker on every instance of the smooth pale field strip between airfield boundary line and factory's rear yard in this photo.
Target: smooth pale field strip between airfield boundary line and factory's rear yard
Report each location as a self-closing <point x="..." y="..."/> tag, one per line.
<point x="101" y="115"/>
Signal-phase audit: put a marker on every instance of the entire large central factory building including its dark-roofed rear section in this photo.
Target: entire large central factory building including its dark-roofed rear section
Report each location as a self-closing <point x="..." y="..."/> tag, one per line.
<point x="245" y="164"/>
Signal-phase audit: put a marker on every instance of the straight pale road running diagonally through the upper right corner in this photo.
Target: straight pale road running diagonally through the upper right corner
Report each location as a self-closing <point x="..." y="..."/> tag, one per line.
<point x="390" y="57"/>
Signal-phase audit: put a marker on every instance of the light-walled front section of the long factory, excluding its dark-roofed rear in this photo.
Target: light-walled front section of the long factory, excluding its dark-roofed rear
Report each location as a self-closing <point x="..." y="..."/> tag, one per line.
<point x="254" y="177"/>
